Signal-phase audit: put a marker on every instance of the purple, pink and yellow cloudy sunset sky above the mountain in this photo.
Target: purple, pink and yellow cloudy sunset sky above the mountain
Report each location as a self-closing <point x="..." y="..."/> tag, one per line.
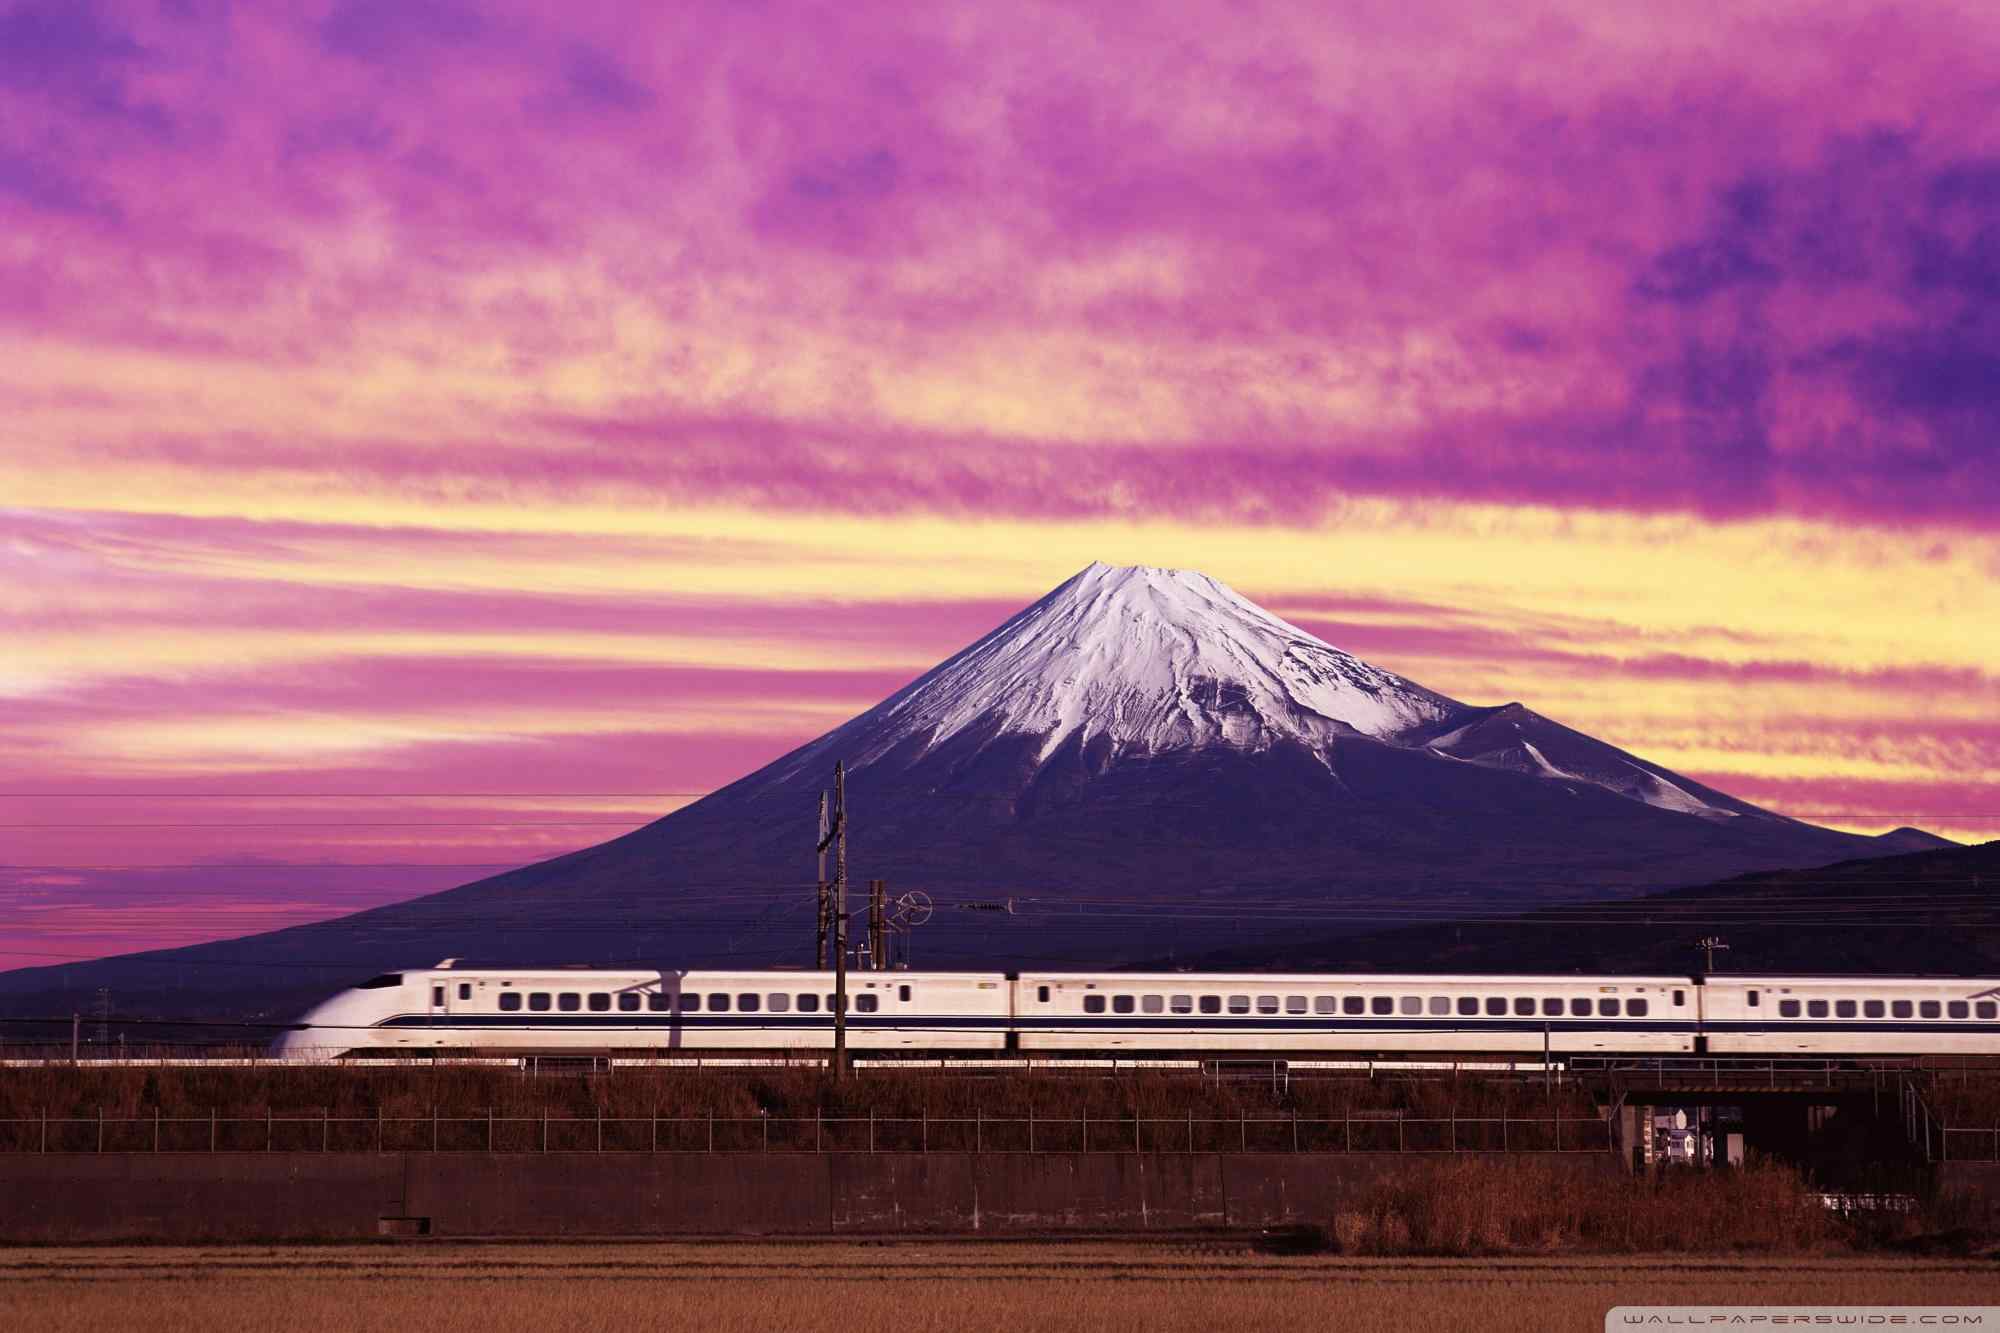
<point x="447" y="435"/>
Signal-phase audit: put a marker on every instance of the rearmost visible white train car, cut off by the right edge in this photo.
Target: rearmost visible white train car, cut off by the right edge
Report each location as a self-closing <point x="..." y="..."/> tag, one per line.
<point x="1851" y="1016"/>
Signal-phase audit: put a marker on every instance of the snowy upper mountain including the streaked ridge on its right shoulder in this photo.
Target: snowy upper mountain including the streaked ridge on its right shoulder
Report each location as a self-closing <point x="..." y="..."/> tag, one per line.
<point x="1137" y="661"/>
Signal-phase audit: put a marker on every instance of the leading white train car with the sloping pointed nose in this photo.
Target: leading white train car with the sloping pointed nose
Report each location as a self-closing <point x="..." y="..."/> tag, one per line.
<point x="635" y="1010"/>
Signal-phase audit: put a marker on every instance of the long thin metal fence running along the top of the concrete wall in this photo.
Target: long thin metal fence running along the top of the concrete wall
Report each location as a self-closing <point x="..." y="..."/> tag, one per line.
<point x="823" y="1134"/>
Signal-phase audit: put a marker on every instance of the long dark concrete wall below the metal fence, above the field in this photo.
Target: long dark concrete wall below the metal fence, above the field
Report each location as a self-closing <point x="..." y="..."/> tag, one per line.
<point x="63" y="1198"/>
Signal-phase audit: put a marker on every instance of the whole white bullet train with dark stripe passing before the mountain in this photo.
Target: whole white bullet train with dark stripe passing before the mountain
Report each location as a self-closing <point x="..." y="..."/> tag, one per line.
<point x="555" y="1012"/>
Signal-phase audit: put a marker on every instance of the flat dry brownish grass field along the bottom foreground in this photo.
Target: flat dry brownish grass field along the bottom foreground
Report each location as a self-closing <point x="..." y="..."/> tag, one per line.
<point x="907" y="1288"/>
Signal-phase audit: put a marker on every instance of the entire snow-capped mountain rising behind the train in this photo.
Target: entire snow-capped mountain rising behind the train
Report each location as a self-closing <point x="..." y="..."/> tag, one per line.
<point x="1141" y="766"/>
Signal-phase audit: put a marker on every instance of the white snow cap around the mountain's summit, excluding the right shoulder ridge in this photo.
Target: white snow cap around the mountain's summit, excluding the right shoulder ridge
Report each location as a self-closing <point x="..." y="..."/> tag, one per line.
<point x="1151" y="661"/>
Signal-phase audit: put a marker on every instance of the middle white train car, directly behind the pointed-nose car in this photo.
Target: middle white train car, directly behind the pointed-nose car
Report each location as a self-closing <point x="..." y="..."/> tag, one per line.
<point x="1191" y="1012"/>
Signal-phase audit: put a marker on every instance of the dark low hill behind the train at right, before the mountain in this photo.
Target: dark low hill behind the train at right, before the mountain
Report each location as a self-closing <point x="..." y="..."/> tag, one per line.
<point x="1931" y="912"/>
